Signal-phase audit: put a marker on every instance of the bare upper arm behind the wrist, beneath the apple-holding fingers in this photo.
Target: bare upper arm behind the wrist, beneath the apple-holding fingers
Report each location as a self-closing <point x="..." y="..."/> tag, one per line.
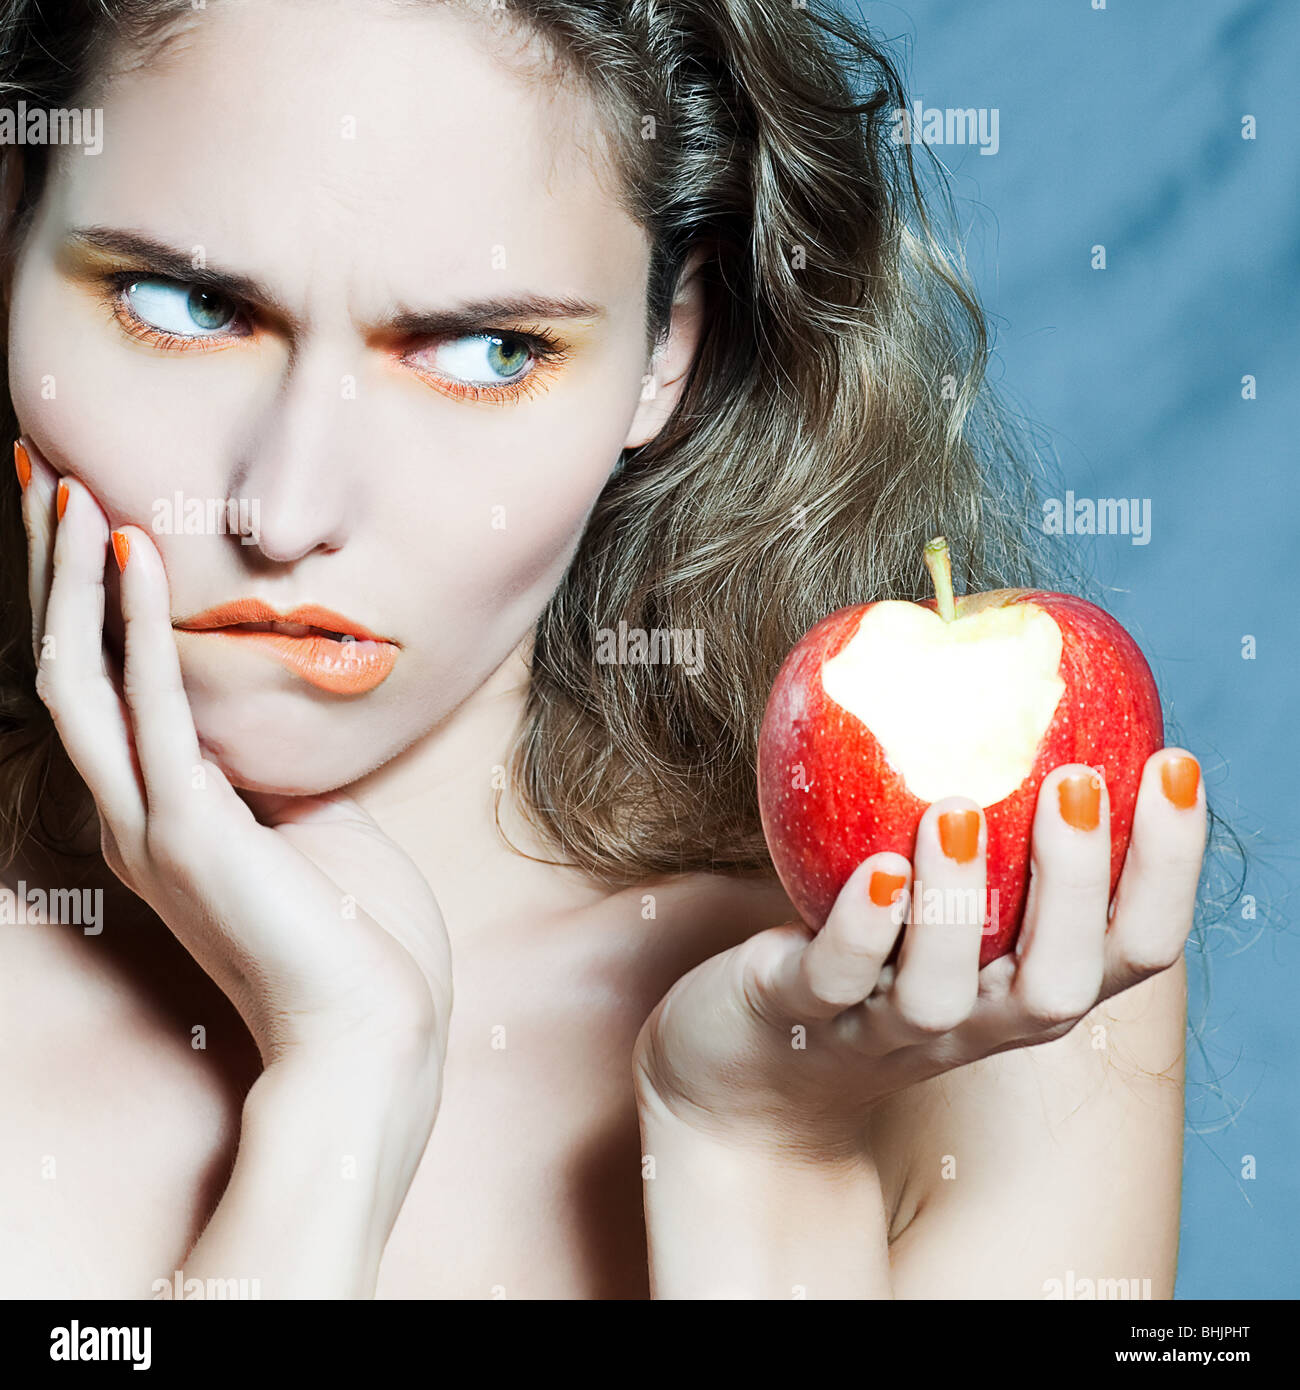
<point x="1066" y="1161"/>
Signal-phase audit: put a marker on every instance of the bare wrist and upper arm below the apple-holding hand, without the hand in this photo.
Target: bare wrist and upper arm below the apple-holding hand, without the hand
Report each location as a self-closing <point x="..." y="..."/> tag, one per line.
<point x="1034" y="1171"/>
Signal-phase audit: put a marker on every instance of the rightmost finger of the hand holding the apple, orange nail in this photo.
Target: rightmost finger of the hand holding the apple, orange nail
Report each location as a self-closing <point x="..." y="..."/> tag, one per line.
<point x="1156" y="899"/>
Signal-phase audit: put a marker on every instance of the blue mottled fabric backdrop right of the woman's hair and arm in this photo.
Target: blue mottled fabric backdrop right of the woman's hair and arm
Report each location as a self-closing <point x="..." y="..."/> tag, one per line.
<point x="1123" y="127"/>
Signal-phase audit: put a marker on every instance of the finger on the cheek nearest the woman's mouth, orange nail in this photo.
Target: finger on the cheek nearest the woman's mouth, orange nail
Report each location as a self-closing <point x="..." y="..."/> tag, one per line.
<point x="163" y="726"/>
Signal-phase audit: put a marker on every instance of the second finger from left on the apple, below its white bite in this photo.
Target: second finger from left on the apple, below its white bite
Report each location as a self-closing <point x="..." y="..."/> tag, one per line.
<point x="938" y="975"/>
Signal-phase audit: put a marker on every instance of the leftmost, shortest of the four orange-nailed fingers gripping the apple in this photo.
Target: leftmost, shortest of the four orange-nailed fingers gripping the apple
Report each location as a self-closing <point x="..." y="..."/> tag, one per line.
<point x="842" y="964"/>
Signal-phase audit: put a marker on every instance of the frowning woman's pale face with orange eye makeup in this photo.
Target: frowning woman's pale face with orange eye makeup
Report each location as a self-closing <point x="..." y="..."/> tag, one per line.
<point x="359" y="177"/>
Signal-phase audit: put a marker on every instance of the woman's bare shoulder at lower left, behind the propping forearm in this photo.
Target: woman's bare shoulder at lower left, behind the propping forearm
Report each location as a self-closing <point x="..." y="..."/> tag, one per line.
<point x="117" y="1132"/>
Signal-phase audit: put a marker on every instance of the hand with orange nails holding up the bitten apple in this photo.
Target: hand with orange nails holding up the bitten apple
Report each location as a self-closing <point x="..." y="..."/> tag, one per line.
<point x="779" y="1047"/>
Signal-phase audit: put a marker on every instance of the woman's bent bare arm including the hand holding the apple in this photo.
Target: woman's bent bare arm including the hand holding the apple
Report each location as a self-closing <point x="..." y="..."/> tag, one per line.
<point x="1034" y="1153"/>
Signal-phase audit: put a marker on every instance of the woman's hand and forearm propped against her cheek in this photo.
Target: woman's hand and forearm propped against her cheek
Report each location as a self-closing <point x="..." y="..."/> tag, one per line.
<point x="315" y="925"/>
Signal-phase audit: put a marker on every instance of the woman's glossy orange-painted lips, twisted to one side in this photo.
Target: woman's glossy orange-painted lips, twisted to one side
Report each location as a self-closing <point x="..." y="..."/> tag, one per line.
<point x="316" y="644"/>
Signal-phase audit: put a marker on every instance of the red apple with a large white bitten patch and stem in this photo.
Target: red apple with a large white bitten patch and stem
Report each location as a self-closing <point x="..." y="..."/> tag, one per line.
<point x="886" y="708"/>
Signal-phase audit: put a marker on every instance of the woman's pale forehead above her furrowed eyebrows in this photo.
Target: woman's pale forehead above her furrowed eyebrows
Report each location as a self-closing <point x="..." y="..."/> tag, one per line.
<point x="393" y="148"/>
